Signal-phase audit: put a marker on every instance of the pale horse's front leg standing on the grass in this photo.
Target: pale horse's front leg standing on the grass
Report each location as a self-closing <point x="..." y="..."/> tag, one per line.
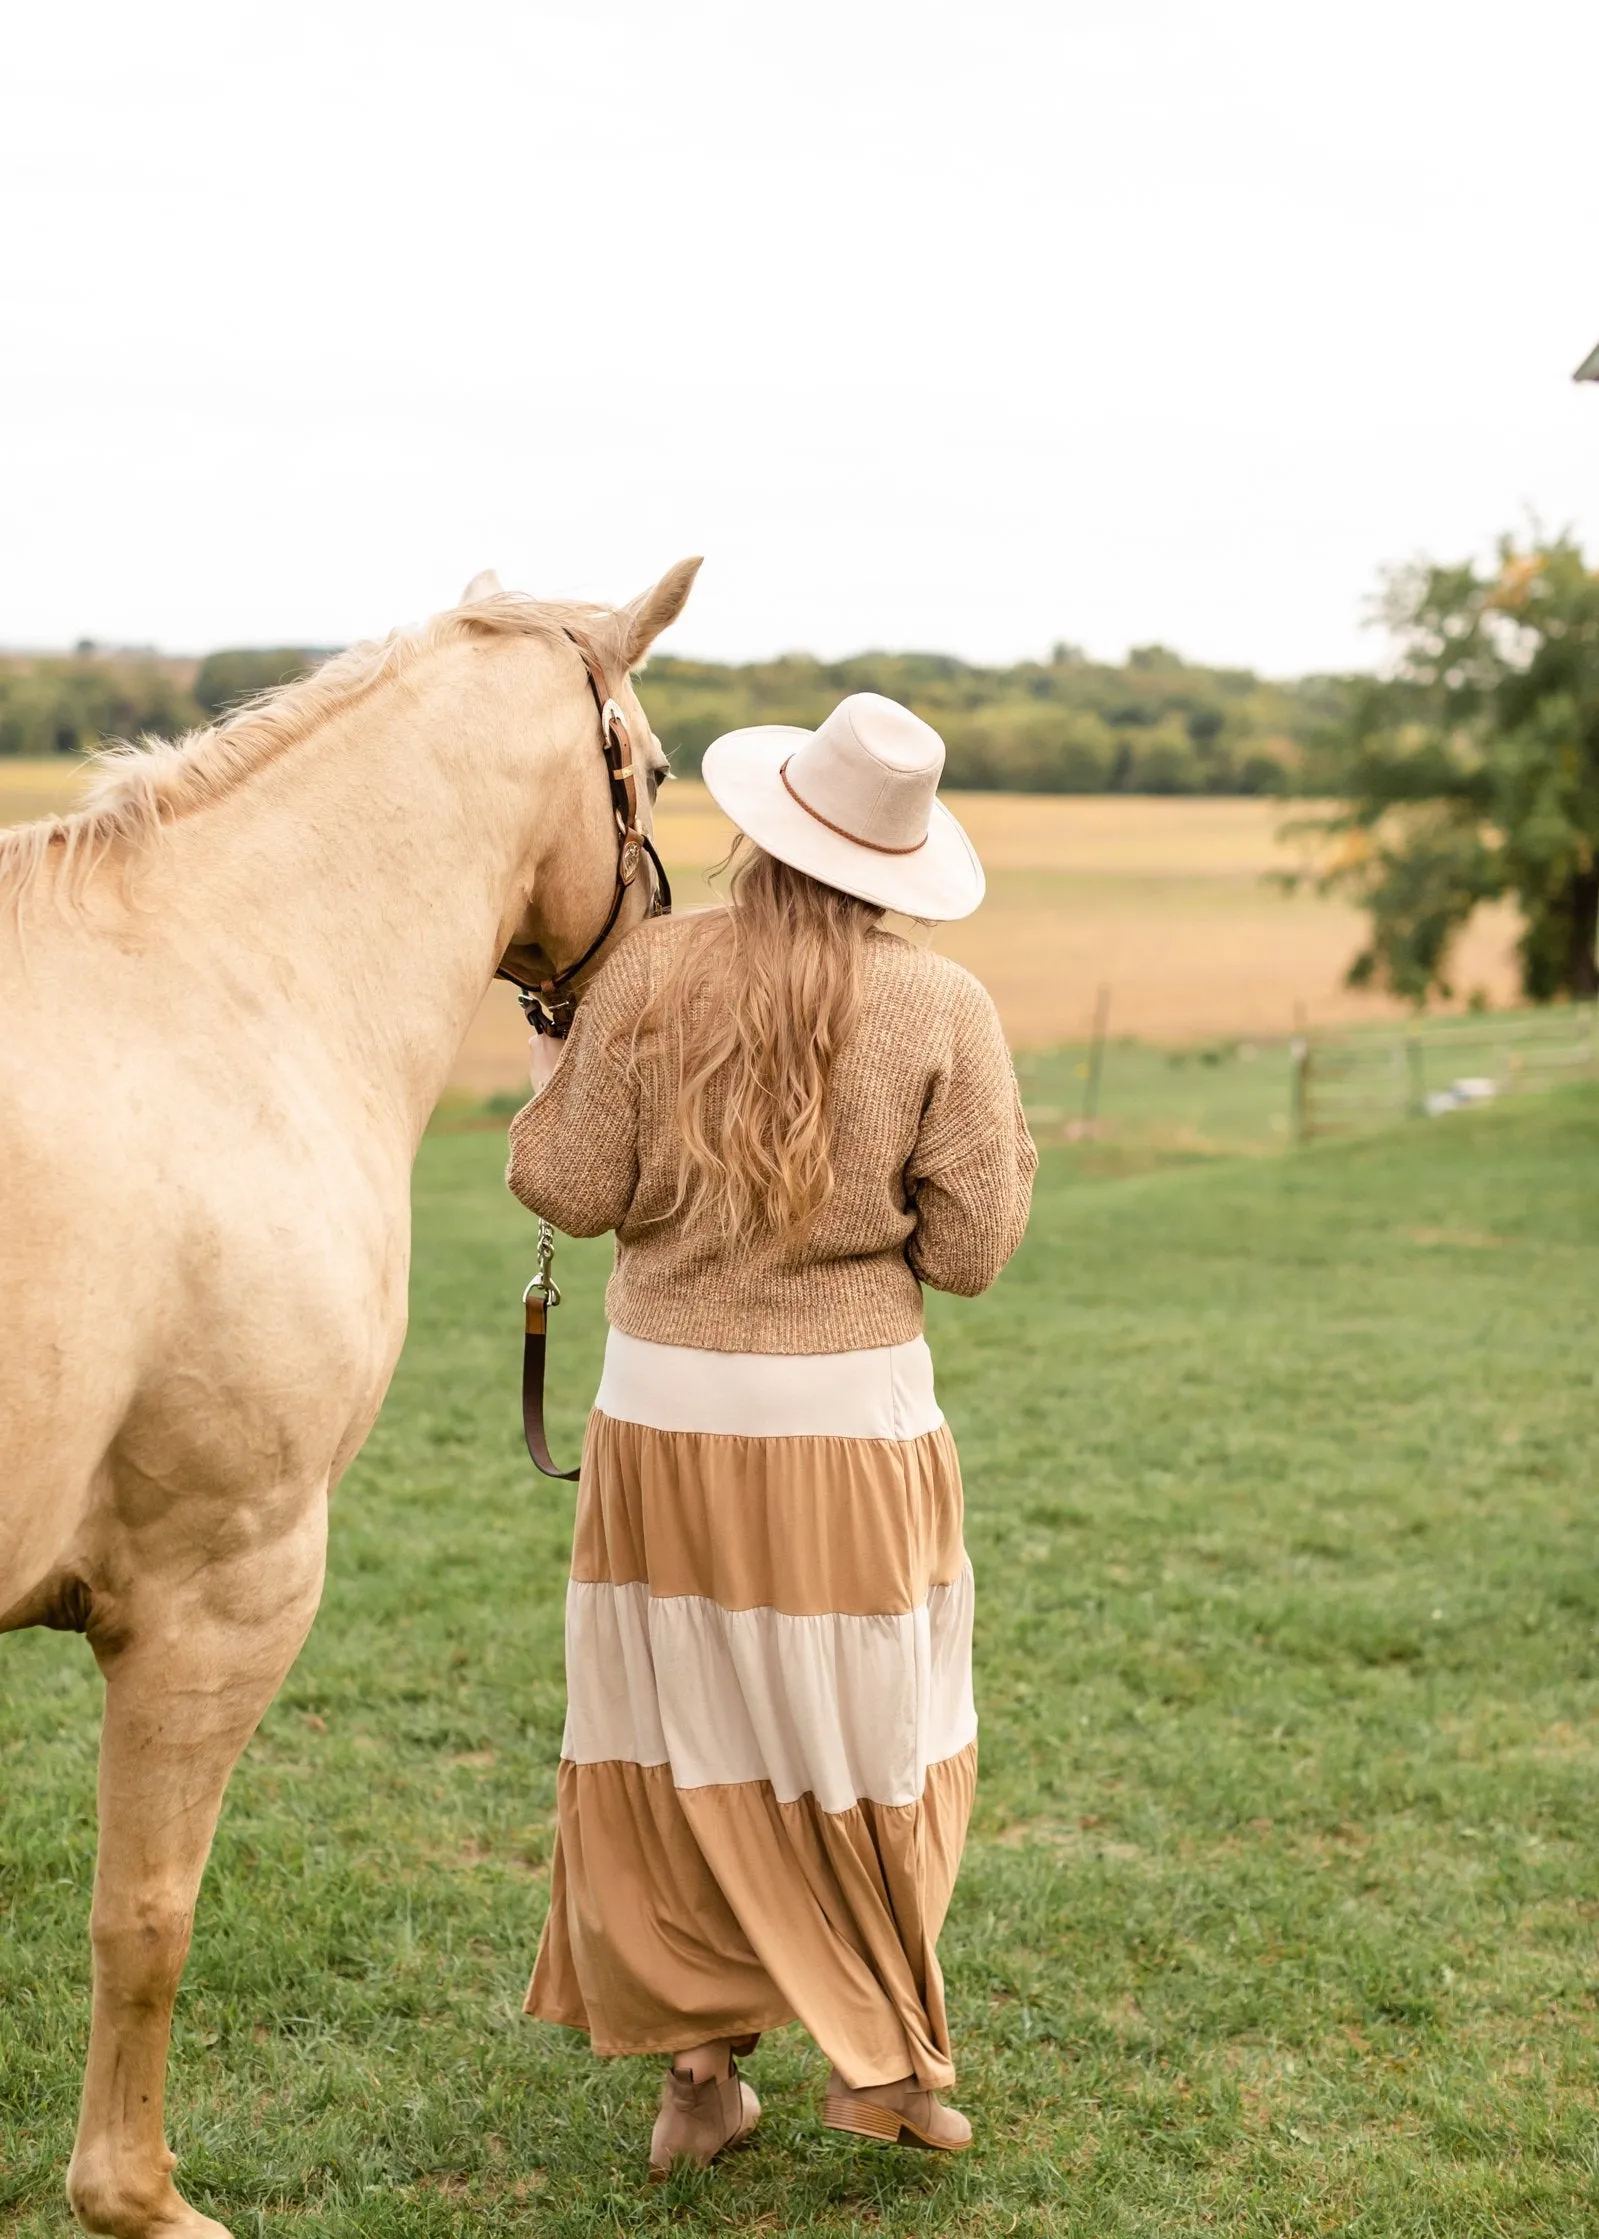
<point x="191" y="1662"/>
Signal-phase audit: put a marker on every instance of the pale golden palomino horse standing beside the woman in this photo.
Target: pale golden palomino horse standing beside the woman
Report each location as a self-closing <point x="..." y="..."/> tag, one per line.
<point x="232" y="995"/>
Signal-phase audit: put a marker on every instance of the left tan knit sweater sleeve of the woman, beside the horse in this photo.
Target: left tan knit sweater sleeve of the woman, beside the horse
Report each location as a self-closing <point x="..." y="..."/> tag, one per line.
<point x="574" y="1150"/>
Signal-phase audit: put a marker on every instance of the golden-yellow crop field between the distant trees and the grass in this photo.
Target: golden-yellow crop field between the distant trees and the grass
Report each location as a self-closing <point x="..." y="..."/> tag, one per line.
<point x="1166" y="901"/>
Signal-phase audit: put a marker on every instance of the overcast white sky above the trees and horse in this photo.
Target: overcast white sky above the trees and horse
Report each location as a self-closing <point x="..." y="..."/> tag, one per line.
<point x="933" y="326"/>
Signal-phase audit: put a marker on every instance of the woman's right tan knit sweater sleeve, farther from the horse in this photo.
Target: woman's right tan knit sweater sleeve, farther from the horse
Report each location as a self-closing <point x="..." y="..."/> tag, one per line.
<point x="971" y="1174"/>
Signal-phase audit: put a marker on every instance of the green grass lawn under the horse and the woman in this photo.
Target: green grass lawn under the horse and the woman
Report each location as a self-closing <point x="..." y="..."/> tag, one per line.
<point x="1280" y="1911"/>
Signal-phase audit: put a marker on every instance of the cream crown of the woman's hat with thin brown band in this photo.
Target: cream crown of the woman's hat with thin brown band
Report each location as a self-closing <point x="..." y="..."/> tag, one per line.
<point x="872" y="774"/>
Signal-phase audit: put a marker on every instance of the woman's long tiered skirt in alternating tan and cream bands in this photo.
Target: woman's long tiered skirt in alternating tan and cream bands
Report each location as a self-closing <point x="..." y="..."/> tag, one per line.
<point x="772" y="1745"/>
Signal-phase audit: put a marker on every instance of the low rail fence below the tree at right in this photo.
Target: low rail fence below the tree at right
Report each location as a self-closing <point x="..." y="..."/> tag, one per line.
<point x="1365" y="1078"/>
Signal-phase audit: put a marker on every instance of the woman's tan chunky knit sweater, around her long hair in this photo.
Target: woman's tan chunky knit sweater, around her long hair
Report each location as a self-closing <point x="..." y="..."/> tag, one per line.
<point x="931" y="1154"/>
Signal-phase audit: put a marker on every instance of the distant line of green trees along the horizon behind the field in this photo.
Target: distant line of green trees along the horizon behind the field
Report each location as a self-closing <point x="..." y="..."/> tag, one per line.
<point x="1154" y="724"/>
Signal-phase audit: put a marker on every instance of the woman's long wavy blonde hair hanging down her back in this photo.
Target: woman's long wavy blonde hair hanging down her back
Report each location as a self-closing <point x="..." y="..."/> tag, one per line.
<point x="754" y="1013"/>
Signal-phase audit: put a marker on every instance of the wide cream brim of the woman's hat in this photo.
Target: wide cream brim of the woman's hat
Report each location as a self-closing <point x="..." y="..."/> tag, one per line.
<point x="939" y="881"/>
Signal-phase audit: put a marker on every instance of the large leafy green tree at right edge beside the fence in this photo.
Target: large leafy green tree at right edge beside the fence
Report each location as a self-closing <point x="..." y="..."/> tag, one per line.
<point x="1472" y="774"/>
